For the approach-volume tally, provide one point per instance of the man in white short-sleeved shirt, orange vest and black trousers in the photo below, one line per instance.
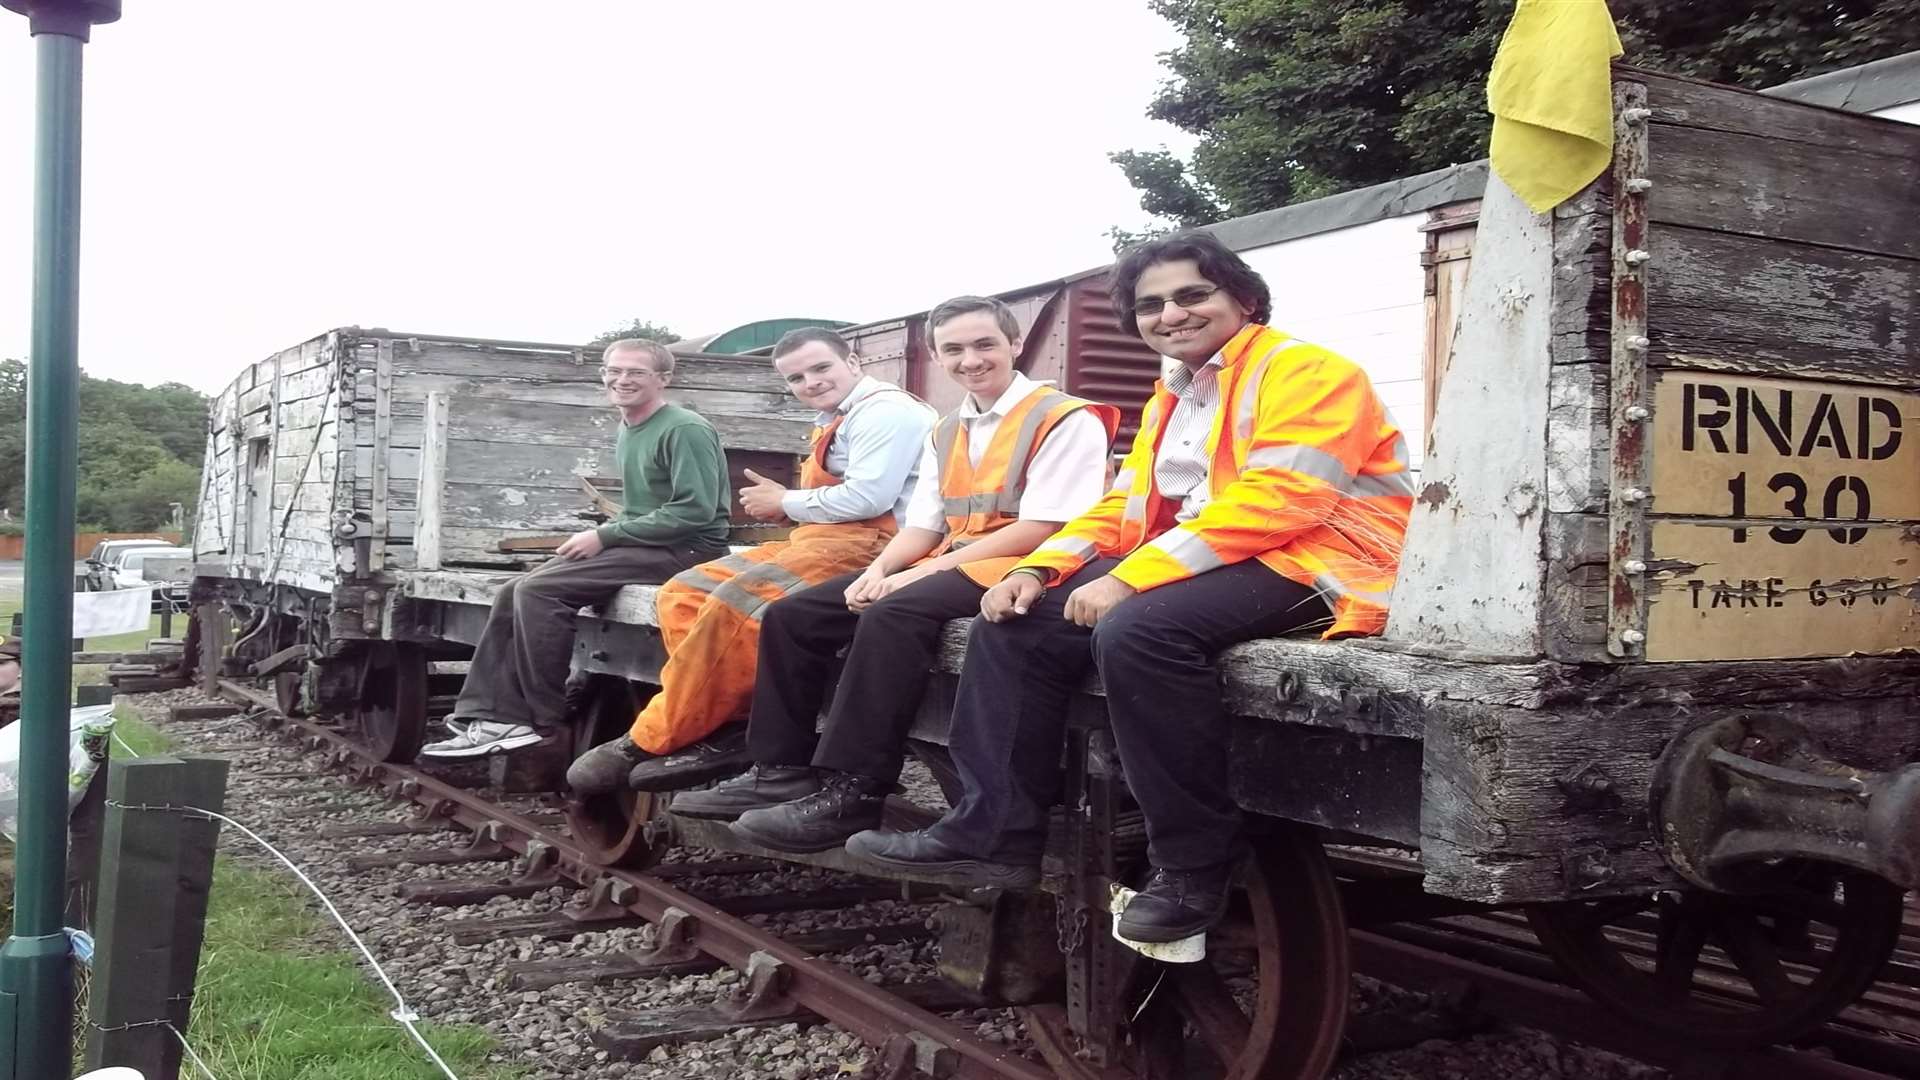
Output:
(1001, 474)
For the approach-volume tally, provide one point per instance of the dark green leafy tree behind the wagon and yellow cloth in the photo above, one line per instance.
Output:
(1301, 99)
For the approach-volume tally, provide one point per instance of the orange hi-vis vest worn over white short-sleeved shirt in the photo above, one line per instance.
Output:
(986, 499)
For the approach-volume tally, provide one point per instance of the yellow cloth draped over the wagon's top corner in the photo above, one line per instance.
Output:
(1552, 99)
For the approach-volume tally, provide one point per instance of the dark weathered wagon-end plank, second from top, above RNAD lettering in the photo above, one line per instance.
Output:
(1762, 185)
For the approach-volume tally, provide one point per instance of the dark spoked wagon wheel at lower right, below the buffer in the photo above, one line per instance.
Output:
(1729, 971)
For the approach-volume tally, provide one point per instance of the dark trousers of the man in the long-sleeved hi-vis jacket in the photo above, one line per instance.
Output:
(1155, 654)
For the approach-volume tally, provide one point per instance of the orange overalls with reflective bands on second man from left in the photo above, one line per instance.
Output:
(711, 616)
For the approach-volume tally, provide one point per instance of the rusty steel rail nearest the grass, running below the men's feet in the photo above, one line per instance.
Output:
(828, 991)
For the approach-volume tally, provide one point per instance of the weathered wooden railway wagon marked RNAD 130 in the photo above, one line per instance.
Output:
(1650, 666)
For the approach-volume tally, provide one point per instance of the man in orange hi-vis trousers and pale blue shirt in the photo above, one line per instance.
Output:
(853, 491)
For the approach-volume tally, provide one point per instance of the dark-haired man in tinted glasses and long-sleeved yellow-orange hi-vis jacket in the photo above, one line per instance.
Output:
(1266, 491)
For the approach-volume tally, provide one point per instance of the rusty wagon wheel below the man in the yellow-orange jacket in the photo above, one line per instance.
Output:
(1272, 994)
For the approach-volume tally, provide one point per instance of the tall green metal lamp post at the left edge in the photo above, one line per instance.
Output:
(36, 991)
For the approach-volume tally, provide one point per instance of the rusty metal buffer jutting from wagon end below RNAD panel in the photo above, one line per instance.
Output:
(1739, 798)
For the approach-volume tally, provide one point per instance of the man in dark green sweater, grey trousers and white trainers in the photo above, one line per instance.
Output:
(675, 516)
